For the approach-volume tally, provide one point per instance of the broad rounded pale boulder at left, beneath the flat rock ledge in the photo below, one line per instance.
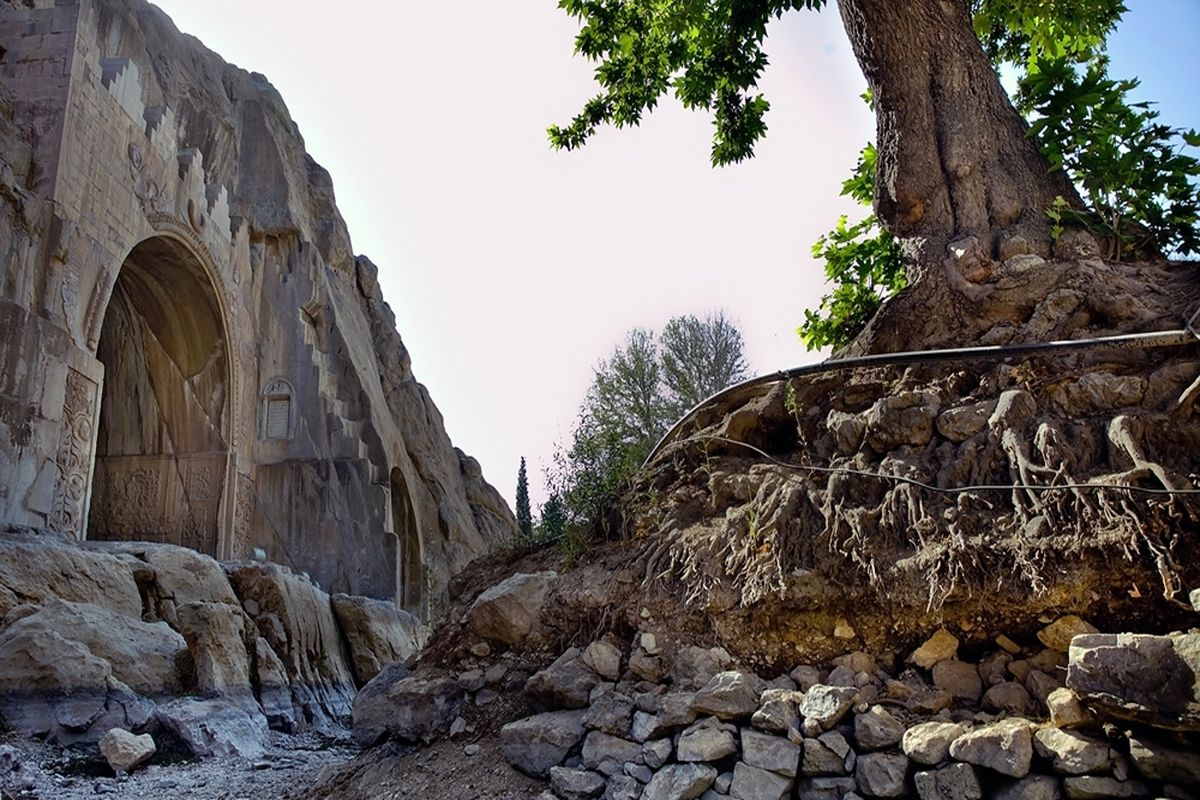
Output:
(146, 657)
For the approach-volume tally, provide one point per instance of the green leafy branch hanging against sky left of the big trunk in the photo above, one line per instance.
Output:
(709, 53)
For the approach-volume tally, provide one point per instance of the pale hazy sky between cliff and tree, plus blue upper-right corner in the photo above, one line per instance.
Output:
(513, 269)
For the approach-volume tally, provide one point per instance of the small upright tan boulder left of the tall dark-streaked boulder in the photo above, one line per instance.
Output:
(217, 637)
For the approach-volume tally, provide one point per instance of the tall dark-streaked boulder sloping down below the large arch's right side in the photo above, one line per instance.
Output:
(297, 619)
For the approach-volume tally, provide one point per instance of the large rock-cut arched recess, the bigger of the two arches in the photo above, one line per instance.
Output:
(163, 448)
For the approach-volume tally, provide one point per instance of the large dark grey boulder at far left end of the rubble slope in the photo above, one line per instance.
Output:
(409, 708)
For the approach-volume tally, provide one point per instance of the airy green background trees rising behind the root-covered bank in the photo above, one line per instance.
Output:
(635, 398)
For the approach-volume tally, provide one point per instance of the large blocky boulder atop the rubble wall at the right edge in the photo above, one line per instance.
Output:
(1141, 678)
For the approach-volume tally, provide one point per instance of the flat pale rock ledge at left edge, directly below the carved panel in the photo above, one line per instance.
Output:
(38, 567)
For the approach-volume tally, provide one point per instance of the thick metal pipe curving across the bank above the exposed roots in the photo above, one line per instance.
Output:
(1181, 338)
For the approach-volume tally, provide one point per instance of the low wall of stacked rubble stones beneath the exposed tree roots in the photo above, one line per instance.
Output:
(1076, 714)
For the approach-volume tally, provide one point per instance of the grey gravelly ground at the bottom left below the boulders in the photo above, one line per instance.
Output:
(35, 771)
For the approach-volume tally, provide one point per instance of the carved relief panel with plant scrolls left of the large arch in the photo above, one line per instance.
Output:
(74, 459)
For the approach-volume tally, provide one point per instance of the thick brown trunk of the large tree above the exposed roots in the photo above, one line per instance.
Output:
(955, 159)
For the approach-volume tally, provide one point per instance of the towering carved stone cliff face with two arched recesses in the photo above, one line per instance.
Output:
(190, 351)
